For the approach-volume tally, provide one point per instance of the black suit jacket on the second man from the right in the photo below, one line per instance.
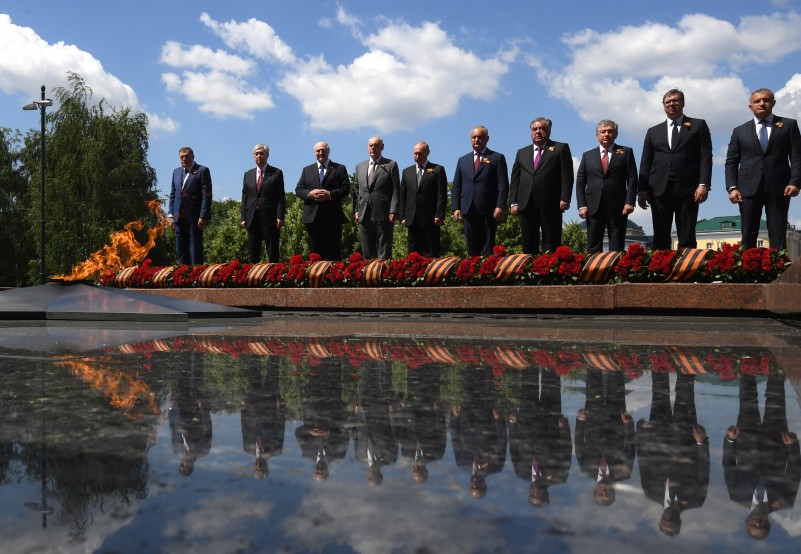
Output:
(690, 162)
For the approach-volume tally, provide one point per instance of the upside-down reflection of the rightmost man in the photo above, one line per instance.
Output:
(761, 462)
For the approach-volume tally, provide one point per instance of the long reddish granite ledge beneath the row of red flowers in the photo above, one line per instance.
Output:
(628, 297)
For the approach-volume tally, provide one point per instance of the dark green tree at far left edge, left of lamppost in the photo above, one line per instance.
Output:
(19, 250)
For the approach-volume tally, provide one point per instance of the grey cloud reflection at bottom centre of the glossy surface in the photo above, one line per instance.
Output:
(388, 517)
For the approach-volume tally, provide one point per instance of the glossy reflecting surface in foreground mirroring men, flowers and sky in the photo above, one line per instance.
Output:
(401, 434)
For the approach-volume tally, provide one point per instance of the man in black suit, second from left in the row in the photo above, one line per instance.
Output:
(263, 205)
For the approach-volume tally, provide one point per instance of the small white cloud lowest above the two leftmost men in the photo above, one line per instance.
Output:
(218, 93)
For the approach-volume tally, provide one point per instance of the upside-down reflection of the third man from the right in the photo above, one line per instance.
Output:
(605, 434)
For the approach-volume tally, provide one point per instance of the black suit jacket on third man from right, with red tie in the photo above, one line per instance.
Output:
(618, 186)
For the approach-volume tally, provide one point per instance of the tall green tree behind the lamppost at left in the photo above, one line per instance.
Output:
(98, 175)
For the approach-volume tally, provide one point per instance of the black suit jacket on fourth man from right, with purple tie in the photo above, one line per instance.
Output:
(550, 183)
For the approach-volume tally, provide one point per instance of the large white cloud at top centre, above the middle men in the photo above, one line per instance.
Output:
(396, 84)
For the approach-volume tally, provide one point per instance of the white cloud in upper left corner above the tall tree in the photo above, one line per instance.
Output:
(27, 61)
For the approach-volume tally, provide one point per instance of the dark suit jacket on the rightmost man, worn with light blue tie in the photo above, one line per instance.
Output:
(779, 166)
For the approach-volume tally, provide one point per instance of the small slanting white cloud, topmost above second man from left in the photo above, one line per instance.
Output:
(255, 37)
